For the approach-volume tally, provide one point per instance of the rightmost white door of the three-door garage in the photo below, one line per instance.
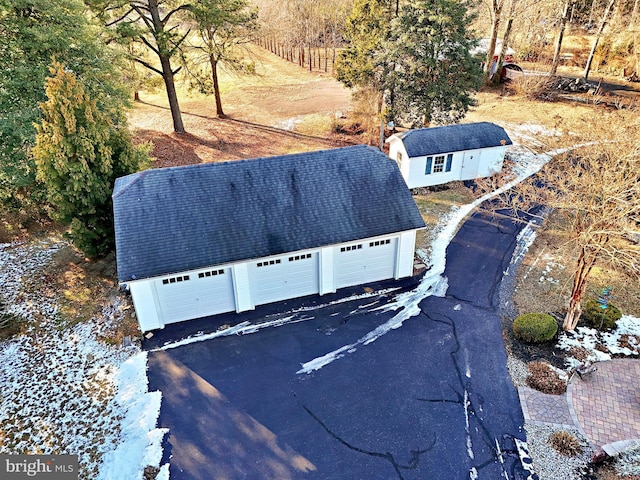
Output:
(365, 262)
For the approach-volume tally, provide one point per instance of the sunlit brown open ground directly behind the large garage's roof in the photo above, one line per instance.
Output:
(261, 114)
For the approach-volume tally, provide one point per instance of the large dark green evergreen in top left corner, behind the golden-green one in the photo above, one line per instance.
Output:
(31, 33)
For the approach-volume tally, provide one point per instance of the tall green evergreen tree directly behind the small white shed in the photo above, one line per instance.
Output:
(434, 74)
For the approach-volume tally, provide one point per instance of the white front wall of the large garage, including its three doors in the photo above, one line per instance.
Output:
(241, 286)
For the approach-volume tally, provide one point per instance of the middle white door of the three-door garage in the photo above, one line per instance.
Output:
(284, 277)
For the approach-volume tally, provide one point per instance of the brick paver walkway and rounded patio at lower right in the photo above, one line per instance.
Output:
(604, 406)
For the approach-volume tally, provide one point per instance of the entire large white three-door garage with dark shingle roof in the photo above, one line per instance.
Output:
(204, 239)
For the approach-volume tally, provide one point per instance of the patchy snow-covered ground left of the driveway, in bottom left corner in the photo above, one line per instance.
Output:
(64, 391)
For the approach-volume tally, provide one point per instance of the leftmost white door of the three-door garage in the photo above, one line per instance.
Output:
(198, 294)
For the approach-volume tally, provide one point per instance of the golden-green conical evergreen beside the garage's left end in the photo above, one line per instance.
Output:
(80, 150)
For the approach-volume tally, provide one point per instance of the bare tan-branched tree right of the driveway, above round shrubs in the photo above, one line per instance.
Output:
(593, 192)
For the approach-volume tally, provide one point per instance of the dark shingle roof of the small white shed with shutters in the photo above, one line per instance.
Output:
(453, 138)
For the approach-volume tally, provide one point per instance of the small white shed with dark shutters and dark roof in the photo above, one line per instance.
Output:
(433, 156)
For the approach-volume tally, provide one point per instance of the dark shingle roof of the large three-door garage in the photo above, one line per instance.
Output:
(170, 220)
